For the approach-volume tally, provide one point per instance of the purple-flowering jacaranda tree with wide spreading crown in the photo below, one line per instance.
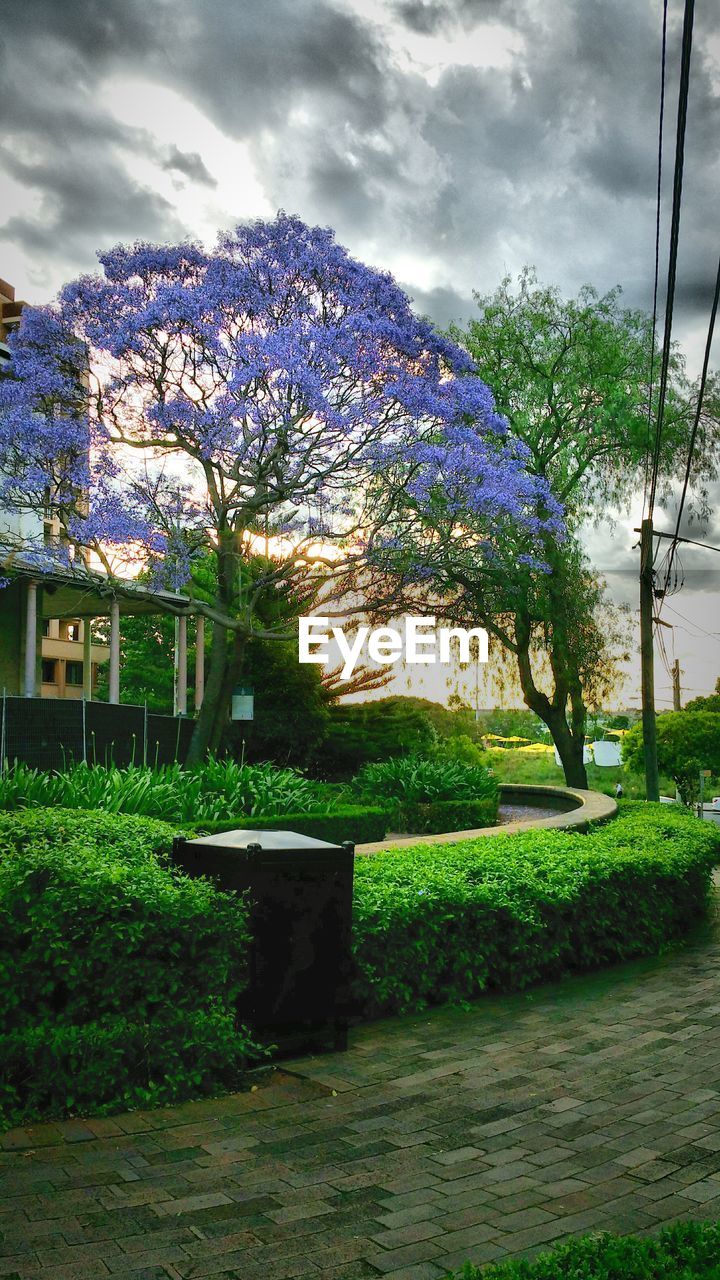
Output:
(239, 403)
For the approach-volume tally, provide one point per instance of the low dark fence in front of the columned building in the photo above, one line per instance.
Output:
(48, 734)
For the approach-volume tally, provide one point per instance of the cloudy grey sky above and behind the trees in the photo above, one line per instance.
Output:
(450, 141)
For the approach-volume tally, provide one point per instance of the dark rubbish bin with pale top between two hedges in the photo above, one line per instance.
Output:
(300, 893)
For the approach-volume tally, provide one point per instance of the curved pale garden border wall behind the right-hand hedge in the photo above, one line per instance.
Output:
(586, 807)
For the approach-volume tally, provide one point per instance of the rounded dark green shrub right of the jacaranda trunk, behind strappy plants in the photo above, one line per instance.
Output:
(358, 733)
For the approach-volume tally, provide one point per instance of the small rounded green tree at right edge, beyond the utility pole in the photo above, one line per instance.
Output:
(686, 744)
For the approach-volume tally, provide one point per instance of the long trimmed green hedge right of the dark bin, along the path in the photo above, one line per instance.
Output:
(448, 922)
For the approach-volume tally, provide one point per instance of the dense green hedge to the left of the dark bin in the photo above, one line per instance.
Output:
(119, 976)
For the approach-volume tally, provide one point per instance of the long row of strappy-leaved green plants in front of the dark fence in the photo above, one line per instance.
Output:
(212, 792)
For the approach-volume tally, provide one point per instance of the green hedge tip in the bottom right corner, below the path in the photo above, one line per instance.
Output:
(686, 1251)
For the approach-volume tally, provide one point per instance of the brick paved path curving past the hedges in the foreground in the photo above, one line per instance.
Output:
(594, 1104)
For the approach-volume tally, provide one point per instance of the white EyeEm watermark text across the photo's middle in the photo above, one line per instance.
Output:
(421, 643)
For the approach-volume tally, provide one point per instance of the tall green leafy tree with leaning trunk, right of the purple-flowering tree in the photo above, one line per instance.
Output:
(573, 380)
